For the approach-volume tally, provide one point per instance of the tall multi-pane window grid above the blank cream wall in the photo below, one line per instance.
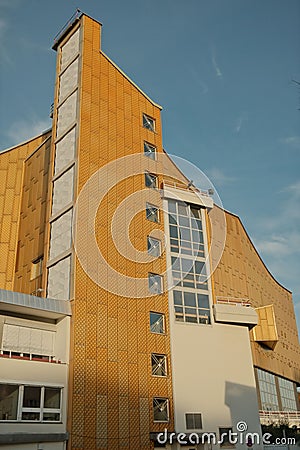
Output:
(189, 276)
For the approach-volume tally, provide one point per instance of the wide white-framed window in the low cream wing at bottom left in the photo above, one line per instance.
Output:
(30, 403)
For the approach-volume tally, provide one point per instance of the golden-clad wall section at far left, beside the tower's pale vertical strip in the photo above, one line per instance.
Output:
(15, 192)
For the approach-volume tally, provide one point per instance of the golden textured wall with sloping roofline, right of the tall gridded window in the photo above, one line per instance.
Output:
(242, 274)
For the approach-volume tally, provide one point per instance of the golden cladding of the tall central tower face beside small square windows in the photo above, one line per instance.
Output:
(114, 347)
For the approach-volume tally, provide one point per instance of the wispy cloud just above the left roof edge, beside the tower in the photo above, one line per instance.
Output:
(22, 130)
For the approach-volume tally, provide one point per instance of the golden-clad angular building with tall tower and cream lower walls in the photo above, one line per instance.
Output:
(130, 304)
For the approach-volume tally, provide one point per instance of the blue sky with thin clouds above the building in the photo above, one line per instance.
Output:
(221, 69)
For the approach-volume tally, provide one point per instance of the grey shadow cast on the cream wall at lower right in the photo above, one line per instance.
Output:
(243, 405)
